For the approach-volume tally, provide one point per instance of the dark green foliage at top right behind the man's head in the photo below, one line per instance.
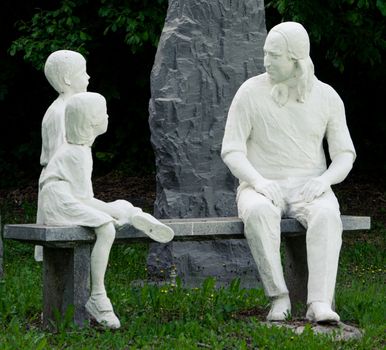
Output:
(347, 29)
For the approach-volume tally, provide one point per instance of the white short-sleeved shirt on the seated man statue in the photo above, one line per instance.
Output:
(286, 141)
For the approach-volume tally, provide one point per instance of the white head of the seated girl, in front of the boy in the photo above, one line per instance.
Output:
(85, 118)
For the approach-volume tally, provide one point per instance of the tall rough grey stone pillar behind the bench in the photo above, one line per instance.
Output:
(207, 49)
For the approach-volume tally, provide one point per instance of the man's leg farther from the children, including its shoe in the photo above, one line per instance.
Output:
(324, 239)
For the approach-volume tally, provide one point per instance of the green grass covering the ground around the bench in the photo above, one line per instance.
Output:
(172, 317)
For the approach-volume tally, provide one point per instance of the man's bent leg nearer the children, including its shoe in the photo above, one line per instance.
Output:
(262, 231)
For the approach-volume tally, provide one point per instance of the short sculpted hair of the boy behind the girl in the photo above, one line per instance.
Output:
(60, 65)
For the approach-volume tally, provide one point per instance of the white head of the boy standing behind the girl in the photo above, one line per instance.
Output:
(65, 70)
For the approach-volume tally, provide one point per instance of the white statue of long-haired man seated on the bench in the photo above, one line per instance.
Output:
(273, 144)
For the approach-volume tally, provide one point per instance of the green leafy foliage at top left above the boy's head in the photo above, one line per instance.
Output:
(78, 25)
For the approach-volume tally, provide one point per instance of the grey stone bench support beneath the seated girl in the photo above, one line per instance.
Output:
(66, 282)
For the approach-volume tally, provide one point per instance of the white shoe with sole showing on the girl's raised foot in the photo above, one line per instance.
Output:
(152, 227)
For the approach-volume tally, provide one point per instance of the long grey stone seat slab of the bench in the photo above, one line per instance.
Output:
(185, 229)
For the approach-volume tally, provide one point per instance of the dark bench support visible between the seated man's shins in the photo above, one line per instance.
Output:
(296, 270)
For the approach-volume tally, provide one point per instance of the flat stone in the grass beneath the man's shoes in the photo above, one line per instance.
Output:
(338, 332)
